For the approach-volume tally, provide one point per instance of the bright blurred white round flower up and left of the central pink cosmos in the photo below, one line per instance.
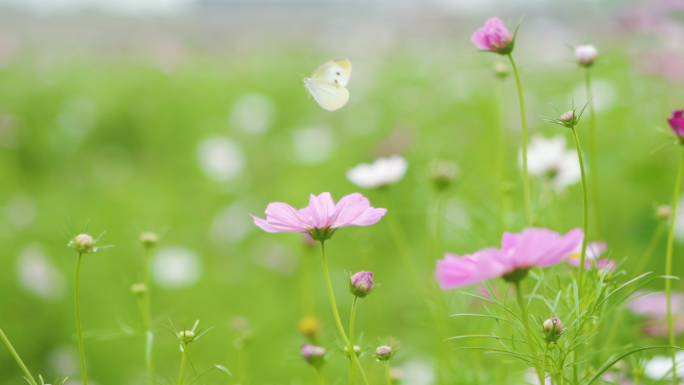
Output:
(220, 158)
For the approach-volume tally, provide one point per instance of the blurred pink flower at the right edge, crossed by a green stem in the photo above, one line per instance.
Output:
(653, 306)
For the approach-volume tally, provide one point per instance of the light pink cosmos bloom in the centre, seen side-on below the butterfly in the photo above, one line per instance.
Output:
(322, 217)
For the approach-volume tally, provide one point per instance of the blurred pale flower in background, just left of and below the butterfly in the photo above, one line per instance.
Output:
(252, 113)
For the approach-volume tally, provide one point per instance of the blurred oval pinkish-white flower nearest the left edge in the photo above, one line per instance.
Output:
(38, 274)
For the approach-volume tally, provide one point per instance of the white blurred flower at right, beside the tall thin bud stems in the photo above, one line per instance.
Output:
(548, 158)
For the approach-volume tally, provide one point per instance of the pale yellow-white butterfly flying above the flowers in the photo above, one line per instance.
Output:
(327, 84)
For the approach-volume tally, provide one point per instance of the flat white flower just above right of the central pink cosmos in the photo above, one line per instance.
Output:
(383, 171)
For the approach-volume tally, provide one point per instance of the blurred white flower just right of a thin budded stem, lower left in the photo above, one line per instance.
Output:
(175, 267)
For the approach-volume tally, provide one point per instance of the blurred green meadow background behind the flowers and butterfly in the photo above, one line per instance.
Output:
(185, 125)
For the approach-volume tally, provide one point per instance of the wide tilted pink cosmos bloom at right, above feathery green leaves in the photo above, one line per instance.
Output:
(533, 247)
